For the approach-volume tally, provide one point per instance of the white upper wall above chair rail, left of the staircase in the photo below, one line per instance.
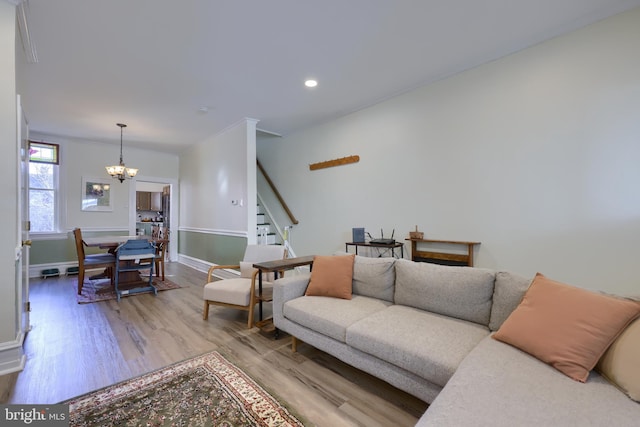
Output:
(214, 173)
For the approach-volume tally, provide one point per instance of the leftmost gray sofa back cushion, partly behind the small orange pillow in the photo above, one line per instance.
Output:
(374, 277)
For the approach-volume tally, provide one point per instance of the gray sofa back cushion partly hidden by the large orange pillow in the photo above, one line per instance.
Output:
(507, 294)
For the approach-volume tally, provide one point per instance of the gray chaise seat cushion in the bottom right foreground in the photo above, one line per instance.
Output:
(498, 385)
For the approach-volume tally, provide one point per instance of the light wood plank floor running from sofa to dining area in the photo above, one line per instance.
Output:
(73, 349)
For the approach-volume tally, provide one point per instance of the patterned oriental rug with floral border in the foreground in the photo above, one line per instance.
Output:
(207, 390)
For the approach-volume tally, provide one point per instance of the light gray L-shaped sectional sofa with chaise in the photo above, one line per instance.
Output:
(426, 329)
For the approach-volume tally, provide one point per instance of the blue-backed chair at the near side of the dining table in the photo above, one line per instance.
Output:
(133, 256)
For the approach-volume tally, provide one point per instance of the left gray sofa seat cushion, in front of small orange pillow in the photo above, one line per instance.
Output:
(331, 316)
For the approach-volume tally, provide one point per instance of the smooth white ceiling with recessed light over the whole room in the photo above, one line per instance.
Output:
(153, 64)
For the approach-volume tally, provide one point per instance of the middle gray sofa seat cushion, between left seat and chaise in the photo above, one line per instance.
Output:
(427, 344)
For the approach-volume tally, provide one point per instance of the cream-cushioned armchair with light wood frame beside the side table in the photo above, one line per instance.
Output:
(240, 293)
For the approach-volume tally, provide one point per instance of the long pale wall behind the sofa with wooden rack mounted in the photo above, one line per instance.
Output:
(535, 155)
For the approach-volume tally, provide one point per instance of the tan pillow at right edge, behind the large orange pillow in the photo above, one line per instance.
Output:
(621, 363)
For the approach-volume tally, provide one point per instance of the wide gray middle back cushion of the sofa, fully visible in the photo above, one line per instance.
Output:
(461, 292)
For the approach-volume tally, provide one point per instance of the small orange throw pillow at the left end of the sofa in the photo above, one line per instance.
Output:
(331, 276)
